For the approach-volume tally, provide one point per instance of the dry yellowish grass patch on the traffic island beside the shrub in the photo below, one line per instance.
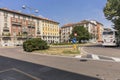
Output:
(60, 51)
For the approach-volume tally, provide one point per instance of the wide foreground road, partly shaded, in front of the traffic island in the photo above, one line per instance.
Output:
(18, 65)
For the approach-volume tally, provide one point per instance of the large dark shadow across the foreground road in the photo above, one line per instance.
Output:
(12, 69)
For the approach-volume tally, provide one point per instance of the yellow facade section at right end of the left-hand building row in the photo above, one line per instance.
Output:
(50, 31)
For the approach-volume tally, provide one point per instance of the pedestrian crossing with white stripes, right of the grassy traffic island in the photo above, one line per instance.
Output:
(100, 58)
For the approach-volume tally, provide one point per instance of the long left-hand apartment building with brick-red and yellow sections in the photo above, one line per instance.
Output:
(16, 27)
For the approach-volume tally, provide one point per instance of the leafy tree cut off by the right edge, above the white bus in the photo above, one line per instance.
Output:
(112, 12)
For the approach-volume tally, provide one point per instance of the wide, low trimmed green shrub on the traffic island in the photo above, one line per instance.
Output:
(35, 44)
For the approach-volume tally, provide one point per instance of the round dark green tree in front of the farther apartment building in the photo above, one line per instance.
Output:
(82, 33)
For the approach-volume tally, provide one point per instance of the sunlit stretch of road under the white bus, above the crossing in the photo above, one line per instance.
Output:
(105, 51)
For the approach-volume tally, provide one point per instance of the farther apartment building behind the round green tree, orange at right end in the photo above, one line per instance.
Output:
(94, 29)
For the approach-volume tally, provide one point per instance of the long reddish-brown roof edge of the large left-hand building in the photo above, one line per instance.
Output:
(33, 16)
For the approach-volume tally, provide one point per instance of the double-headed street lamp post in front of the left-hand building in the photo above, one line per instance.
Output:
(30, 9)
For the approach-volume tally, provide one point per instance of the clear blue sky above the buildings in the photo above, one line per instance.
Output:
(62, 11)
